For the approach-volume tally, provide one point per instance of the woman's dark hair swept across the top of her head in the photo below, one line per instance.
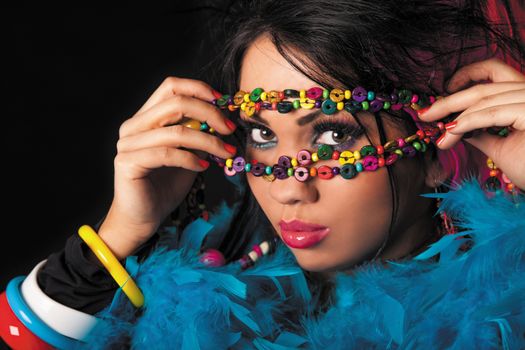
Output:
(381, 45)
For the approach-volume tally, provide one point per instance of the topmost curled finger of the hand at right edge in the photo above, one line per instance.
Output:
(494, 70)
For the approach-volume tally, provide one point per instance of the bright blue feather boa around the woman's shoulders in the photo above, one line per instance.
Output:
(463, 300)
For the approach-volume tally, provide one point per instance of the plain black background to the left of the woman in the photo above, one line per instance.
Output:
(70, 78)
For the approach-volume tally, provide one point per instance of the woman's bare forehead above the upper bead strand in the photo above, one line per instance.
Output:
(263, 66)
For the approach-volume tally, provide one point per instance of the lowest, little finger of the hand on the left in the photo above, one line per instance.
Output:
(138, 164)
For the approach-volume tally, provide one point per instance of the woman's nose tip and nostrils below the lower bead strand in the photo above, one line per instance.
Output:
(291, 191)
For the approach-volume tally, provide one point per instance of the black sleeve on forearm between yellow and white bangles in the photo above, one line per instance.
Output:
(75, 277)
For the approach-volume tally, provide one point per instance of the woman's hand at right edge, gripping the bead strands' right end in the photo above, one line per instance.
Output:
(498, 103)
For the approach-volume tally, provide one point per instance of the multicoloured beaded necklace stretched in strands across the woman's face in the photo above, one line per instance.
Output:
(353, 162)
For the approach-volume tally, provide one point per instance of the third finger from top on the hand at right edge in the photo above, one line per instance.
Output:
(500, 115)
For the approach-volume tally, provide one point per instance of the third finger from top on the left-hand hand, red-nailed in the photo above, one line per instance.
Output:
(176, 136)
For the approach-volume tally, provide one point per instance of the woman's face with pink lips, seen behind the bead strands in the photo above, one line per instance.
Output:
(356, 212)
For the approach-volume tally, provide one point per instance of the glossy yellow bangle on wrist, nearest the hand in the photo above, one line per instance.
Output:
(110, 262)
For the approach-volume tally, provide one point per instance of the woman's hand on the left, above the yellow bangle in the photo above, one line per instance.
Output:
(154, 169)
